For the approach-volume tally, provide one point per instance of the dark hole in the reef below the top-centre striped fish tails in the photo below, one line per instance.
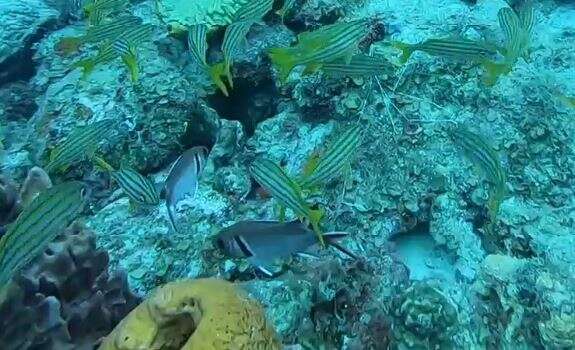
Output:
(250, 102)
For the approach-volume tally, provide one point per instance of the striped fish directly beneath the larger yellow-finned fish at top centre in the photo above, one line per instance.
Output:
(359, 66)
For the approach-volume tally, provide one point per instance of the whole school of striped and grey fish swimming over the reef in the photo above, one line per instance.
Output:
(333, 50)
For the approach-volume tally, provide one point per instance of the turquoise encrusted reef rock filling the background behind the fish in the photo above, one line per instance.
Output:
(435, 269)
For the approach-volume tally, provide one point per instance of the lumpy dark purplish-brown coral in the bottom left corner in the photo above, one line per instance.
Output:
(66, 299)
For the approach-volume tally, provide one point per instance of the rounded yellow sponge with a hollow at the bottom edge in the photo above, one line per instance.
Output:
(202, 314)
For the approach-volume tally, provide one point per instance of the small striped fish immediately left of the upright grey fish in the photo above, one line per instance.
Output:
(137, 187)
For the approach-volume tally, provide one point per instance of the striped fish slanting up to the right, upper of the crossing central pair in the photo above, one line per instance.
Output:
(338, 155)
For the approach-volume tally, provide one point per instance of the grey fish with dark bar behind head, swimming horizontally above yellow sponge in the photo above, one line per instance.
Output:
(263, 242)
